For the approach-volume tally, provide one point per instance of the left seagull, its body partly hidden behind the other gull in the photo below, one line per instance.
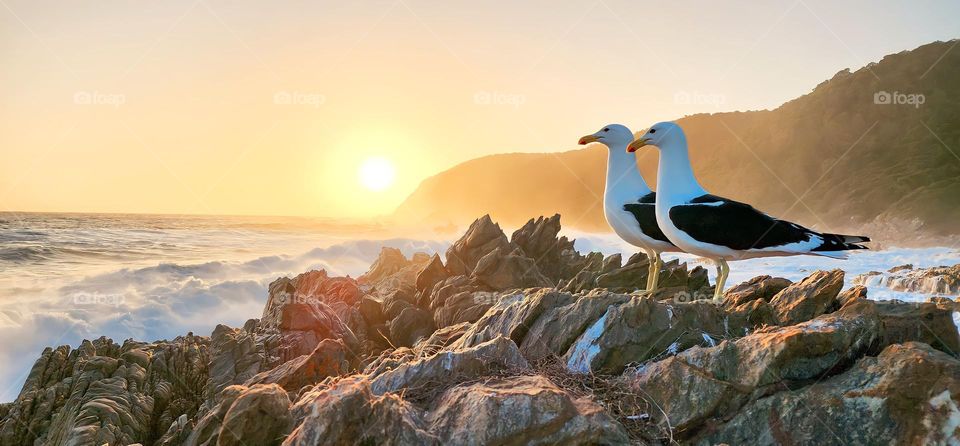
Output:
(628, 203)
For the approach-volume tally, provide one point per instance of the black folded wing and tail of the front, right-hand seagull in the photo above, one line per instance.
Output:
(723, 222)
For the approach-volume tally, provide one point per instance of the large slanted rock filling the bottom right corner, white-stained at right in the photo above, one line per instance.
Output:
(909, 394)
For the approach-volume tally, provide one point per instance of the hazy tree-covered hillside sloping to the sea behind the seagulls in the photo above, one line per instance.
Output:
(832, 159)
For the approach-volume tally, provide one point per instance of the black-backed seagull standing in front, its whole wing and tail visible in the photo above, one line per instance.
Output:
(718, 228)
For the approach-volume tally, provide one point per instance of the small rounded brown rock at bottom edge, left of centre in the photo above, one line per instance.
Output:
(260, 415)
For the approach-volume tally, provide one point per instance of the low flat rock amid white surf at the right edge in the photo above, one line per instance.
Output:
(936, 280)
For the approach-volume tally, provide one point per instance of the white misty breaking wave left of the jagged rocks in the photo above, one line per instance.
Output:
(161, 301)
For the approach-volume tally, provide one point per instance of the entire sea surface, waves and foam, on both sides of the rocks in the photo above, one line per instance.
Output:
(69, 277)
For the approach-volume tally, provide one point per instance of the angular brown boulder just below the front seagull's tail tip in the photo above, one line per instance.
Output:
(809, 298)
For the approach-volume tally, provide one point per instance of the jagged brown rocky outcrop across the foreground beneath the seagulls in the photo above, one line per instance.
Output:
(474, 351)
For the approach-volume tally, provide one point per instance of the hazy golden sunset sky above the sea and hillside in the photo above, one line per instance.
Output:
(256, 107)
